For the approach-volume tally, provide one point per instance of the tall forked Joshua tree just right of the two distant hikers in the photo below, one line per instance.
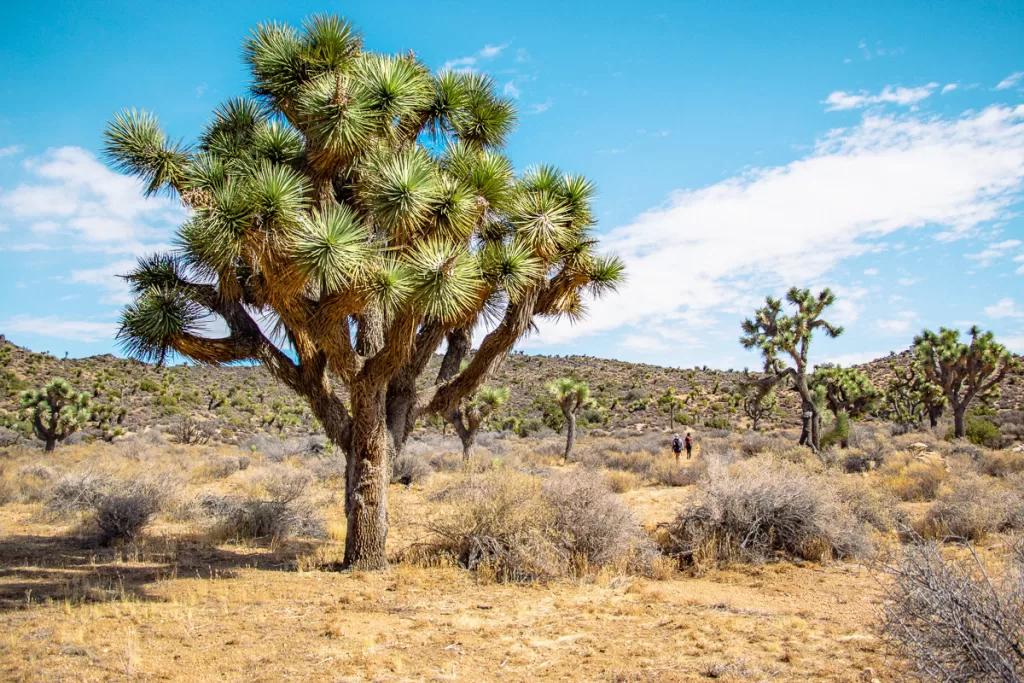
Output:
(786, 339)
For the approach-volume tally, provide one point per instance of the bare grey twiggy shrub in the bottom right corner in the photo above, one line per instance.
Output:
(953, 619)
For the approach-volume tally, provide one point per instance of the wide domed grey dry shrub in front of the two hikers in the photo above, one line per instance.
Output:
(756, 510)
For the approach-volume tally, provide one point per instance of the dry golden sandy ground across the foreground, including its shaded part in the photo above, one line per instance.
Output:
(179, 610)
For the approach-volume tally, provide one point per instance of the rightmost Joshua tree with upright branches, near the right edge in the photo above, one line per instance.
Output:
(963, 372)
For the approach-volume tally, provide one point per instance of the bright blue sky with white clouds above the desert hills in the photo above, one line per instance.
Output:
(739, 148)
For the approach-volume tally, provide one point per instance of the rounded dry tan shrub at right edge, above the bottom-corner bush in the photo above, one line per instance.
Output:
(975, 507)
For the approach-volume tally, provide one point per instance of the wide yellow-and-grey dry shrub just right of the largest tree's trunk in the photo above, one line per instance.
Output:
(522, 529)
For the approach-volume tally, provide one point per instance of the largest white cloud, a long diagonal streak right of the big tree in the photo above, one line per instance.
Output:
(721, 248)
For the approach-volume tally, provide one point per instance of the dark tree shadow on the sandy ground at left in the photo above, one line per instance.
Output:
(75, 568)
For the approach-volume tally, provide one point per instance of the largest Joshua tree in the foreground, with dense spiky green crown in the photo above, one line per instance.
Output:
(362, 205)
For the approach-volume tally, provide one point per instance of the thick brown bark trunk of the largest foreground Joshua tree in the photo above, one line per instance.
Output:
(366, 487)
